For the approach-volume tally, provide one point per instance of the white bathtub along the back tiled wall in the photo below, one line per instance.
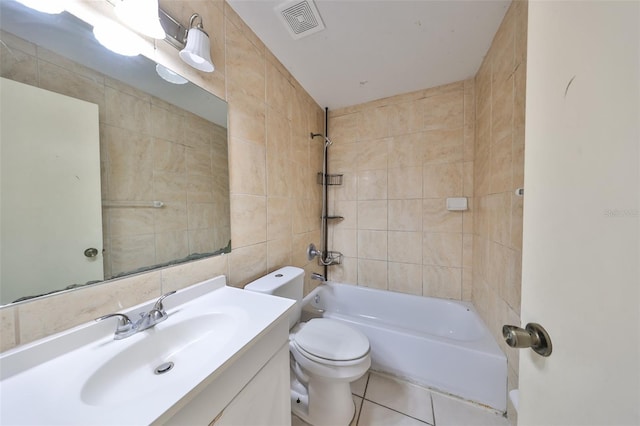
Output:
(438, 343)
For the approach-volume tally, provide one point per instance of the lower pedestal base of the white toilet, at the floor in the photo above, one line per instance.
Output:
(322, 403)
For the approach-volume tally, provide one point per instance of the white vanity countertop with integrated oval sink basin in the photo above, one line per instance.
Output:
(84, 376)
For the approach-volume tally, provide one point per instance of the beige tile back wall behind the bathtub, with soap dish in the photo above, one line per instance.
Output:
(400, 158)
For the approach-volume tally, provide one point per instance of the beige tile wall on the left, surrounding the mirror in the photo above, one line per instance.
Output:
(275, 204)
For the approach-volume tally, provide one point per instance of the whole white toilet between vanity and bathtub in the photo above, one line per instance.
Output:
(325, 355)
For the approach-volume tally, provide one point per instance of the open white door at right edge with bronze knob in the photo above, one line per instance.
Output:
(581, 256)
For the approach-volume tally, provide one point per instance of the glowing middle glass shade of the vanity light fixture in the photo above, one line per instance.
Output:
(141, 16)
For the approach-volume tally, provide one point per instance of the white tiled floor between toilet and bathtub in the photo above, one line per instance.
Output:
(386, 401)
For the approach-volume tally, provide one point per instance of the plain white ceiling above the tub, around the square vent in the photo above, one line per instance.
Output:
(371, 49)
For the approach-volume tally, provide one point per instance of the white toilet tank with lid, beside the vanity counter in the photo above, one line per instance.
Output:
(285, 282)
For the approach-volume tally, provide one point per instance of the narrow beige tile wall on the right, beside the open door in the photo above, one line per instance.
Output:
(499, 170)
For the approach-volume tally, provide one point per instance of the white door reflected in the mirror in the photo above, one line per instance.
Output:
(50, 200)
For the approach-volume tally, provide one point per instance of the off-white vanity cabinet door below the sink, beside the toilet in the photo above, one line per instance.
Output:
(265, 400)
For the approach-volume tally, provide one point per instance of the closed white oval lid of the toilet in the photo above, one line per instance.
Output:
(332, 340)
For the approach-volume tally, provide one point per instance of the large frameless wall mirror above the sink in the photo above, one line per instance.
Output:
(161, 159)
